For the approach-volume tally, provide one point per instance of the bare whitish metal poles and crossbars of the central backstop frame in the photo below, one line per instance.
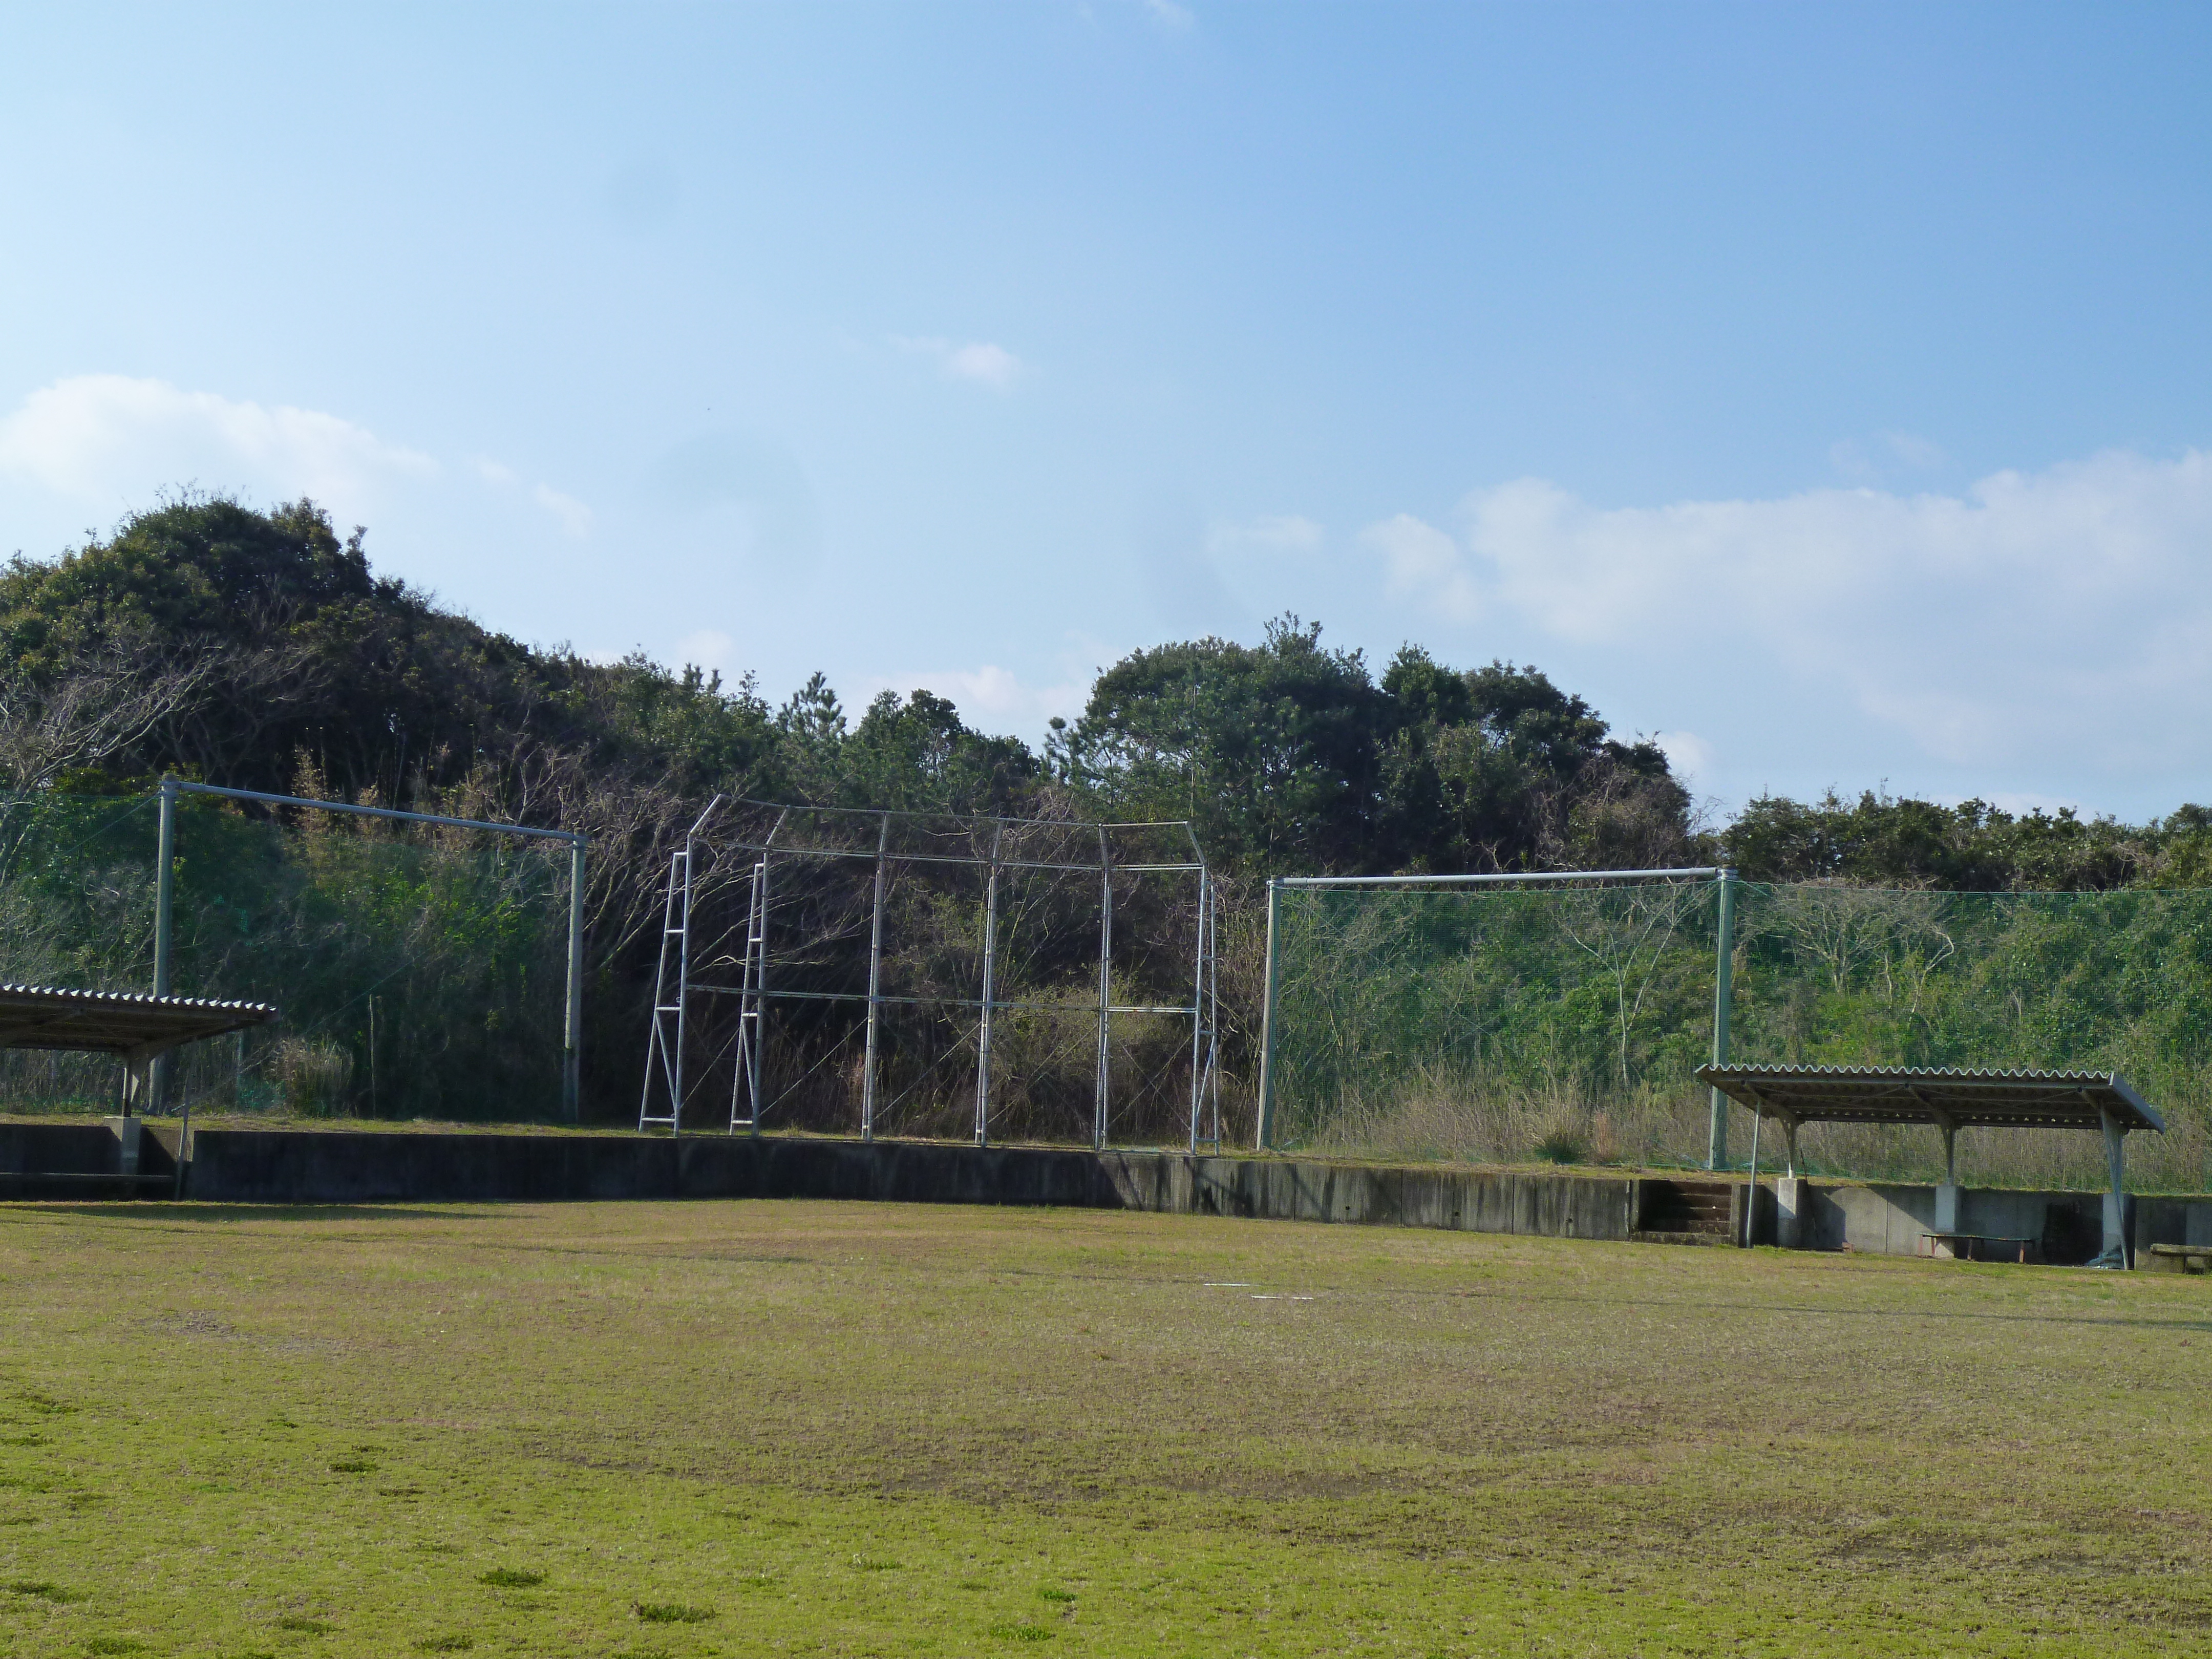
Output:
(749, 853)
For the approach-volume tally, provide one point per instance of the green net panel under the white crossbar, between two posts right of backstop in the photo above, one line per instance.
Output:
(1488, 1023)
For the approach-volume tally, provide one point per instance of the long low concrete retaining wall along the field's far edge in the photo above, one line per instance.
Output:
(351, 1167)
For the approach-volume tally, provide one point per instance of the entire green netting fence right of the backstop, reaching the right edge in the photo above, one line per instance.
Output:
(1501, 1025)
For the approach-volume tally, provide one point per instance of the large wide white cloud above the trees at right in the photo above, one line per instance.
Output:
(2069, 605)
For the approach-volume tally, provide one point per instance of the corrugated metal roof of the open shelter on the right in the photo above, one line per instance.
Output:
(1968, 1098)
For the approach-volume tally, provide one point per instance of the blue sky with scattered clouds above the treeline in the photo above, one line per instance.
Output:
(1824, 390)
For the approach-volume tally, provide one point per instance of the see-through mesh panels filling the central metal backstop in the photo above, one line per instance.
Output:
(935, 977)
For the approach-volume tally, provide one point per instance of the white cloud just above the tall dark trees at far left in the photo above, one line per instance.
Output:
(112, 439)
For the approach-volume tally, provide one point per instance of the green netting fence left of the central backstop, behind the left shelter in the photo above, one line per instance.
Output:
(419, 970)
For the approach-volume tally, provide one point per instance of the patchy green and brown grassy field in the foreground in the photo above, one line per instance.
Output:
(870, 1430)
